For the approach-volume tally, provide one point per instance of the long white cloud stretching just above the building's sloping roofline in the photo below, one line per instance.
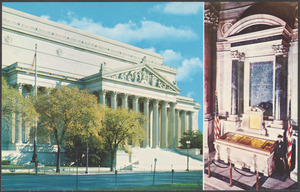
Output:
(131, 32)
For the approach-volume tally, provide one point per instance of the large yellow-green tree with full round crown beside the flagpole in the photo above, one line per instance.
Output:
(67, 111)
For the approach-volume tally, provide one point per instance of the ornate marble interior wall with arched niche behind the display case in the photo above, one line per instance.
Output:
(251, 62)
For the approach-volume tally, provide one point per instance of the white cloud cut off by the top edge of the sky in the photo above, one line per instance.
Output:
(180, 8)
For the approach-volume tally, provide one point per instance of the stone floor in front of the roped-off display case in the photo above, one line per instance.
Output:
(243, 179)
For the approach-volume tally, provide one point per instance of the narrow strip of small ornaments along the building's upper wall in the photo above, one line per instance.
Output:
(80, 42)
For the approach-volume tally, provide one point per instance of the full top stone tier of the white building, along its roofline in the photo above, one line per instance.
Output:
(45, 29)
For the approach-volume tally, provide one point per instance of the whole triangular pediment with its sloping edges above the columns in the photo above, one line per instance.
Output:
(143, 76)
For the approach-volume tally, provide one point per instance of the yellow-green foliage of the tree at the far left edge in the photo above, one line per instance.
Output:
(14, 102)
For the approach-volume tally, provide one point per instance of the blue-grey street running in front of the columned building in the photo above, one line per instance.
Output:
(95, 181)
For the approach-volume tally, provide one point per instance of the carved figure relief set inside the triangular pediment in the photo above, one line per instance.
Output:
(141, 76)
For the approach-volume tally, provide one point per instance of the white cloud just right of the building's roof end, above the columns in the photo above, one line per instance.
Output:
(188, 68)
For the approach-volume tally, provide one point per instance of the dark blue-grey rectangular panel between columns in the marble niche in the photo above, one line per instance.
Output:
(261, 85)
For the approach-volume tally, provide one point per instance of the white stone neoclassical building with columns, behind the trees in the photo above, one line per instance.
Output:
(118, 74)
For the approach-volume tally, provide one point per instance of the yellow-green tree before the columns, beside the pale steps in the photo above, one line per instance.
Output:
(119, 125)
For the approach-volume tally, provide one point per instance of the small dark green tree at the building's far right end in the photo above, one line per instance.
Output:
(195, 137)
